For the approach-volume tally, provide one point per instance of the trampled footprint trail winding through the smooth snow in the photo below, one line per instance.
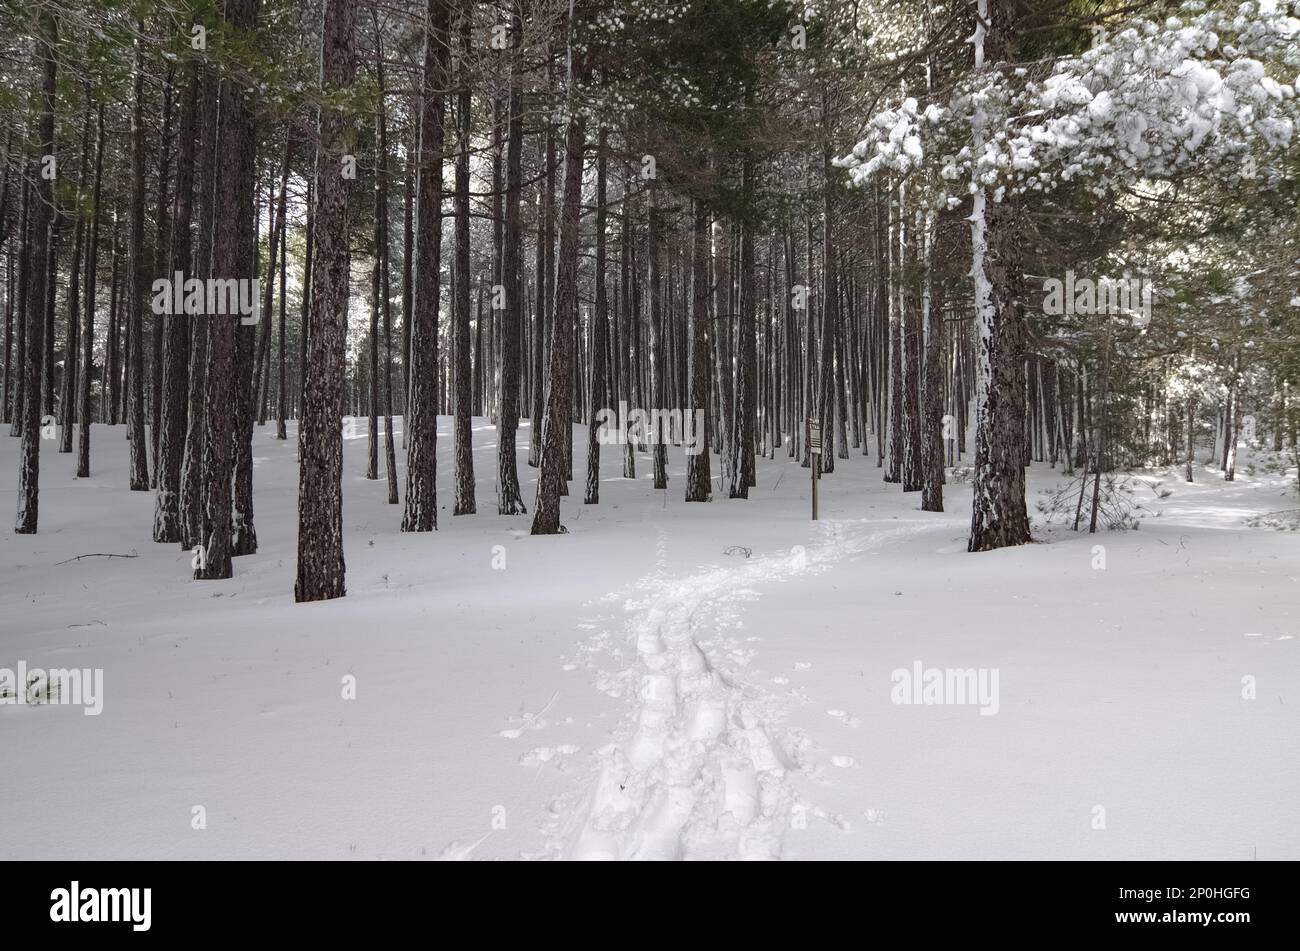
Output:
(701, 767)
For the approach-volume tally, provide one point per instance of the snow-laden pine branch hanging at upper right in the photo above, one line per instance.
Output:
(1208, 89)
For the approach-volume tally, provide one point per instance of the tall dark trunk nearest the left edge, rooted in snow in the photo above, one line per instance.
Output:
(29, 464)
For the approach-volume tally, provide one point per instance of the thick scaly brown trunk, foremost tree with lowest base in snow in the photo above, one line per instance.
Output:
(320, 446)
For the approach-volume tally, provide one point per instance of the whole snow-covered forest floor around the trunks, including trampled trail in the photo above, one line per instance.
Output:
(665, 681)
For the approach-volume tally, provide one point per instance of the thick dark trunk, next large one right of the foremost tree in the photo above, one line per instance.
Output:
(422, 500)
